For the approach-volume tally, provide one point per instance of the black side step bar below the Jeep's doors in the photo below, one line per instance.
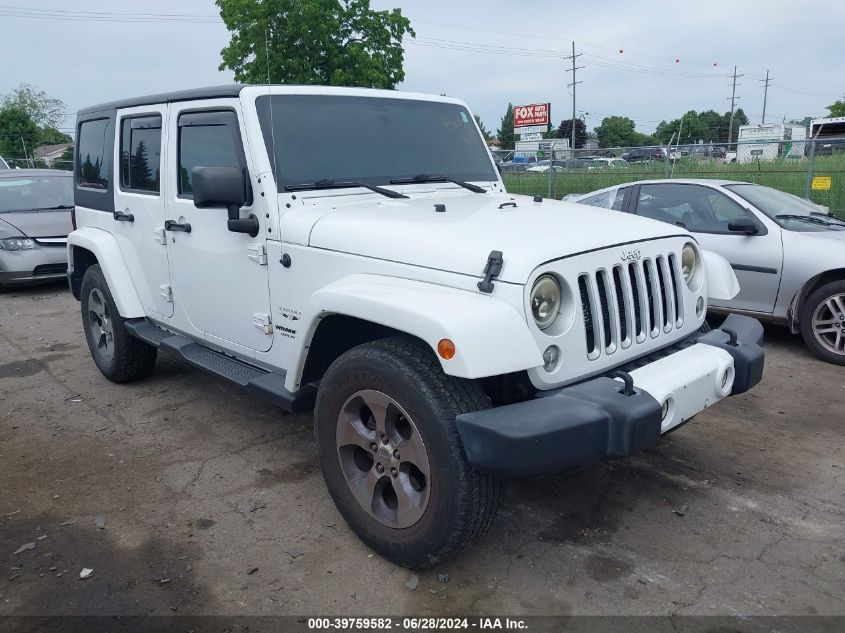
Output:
(268, 384)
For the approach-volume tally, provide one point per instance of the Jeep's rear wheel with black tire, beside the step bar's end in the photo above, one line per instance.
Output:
(119, 356)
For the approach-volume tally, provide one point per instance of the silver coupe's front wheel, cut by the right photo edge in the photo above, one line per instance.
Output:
(822, 320)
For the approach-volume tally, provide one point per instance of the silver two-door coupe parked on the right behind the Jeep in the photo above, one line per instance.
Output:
(788, 253)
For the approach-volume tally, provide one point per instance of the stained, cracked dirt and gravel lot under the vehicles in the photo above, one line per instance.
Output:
(184, 494)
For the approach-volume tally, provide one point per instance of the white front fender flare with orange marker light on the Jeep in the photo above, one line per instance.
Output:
(490, 336)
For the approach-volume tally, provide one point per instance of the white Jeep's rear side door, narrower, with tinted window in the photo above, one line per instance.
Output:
(138, 220)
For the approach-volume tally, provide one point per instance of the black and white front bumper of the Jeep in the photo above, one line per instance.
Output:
(574, 426)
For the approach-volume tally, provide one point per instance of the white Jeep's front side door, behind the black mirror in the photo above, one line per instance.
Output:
(220, 280)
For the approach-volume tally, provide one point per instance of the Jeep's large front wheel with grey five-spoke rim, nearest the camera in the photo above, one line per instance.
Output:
(392, 457)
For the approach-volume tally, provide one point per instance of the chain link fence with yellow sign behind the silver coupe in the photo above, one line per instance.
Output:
(812, 169)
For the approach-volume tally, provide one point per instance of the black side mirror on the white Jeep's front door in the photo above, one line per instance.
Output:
(224, 187)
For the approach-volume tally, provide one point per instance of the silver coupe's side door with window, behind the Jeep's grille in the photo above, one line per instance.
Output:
(756, 259)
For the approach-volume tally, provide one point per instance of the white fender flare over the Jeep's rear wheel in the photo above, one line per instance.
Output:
(105, 248)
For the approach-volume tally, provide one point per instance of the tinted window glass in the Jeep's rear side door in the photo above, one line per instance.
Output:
(140, 154)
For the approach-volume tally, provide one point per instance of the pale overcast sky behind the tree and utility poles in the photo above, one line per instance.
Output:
(486, 53)
